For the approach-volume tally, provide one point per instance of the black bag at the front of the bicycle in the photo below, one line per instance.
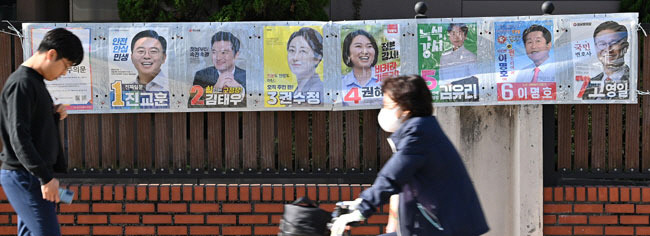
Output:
(303, 217)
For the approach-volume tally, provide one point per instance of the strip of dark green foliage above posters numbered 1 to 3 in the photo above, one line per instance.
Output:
(221, 10)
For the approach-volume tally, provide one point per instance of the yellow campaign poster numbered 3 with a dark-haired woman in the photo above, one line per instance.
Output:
(293, 66)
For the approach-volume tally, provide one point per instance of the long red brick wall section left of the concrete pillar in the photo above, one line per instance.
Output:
(206, 209)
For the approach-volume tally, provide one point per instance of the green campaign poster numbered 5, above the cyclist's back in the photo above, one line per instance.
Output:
(447, 60)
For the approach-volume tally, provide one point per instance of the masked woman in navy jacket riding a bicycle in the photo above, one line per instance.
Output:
(436, 195)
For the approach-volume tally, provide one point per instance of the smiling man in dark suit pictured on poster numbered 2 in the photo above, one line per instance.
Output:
(224, 73)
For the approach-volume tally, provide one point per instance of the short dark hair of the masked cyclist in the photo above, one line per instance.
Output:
(411, 93)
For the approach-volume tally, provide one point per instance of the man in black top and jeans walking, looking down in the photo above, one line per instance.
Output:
(32, 150)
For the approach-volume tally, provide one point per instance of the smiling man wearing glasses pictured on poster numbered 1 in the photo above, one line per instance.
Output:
(149, 51)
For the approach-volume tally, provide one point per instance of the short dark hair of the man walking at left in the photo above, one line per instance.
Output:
(66, 44)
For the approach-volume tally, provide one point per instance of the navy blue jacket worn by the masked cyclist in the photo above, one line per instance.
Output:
(426, 169)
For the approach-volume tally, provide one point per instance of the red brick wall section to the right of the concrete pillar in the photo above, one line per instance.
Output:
(597, 210)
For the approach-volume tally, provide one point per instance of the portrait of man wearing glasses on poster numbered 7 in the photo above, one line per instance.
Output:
(611, 43)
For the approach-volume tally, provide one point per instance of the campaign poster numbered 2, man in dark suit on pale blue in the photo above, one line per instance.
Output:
(216, 60)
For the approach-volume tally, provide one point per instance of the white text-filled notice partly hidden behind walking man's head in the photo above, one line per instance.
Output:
(74, 89)
